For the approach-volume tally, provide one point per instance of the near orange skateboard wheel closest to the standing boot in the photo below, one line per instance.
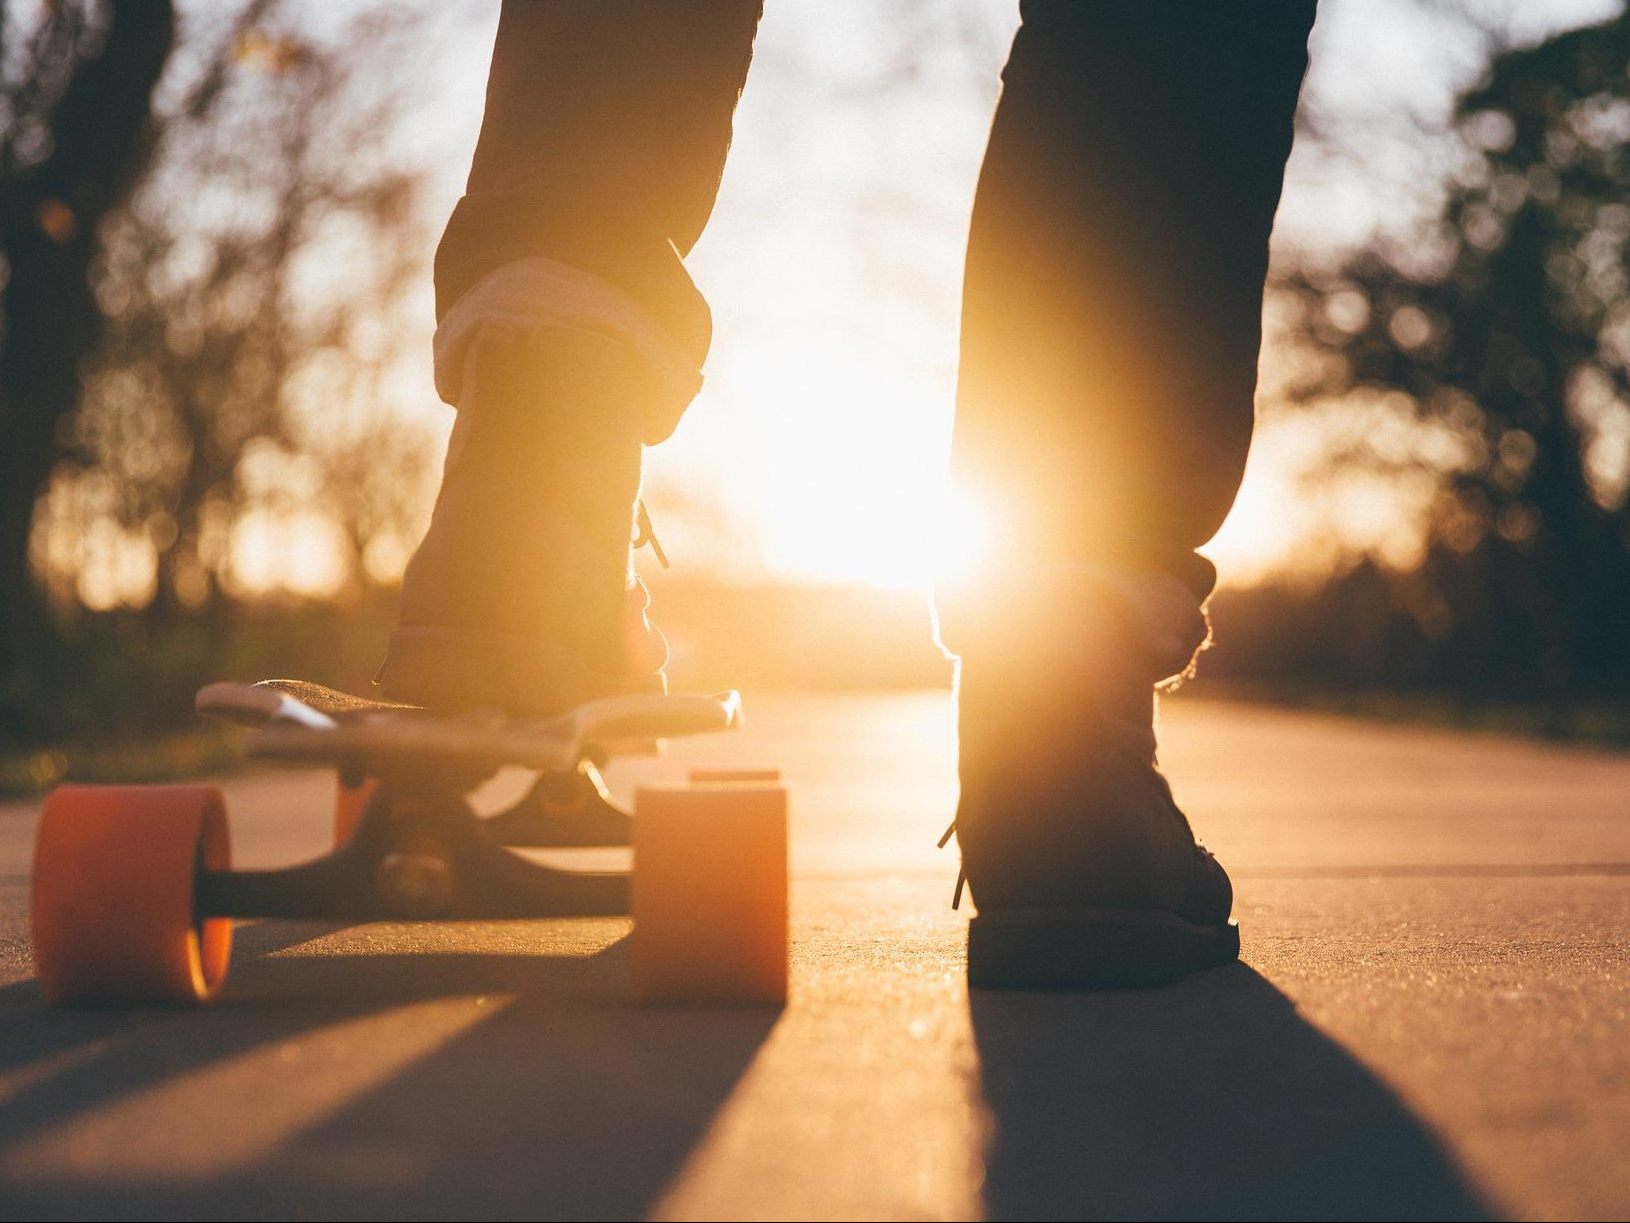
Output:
(710, 893)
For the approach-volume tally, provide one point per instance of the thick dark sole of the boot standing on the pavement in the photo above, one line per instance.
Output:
(1091, 950)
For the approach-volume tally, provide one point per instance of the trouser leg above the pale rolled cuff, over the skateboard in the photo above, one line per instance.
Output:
(602, 144)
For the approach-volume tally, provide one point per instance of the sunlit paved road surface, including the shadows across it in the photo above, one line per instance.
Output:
(1430, 1020)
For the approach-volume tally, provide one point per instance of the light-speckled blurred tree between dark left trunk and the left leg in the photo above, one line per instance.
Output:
(252, 294)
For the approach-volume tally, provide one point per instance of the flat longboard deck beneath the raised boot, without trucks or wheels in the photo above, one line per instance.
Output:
(301, 722)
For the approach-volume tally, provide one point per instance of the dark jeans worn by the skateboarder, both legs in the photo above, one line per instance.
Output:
(1116, 260)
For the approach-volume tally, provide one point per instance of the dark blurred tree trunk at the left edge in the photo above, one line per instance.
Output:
(76, 135)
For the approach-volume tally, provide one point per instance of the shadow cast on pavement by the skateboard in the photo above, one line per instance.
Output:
(563, 1100)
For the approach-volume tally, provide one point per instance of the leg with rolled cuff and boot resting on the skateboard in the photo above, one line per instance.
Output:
(570, 335)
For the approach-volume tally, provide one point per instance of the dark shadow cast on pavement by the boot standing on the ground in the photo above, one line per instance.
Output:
(1207, 1100)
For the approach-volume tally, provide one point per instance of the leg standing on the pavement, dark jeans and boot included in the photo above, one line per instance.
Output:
(1104, 410)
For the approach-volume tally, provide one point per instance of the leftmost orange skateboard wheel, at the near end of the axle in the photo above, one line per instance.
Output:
(113, 906)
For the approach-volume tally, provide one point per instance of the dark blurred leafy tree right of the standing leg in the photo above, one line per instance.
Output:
(1505, 337)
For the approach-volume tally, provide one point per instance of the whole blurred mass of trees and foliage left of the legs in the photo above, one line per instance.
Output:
(216, 361)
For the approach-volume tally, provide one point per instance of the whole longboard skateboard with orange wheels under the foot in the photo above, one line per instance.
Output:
(134, 894)
